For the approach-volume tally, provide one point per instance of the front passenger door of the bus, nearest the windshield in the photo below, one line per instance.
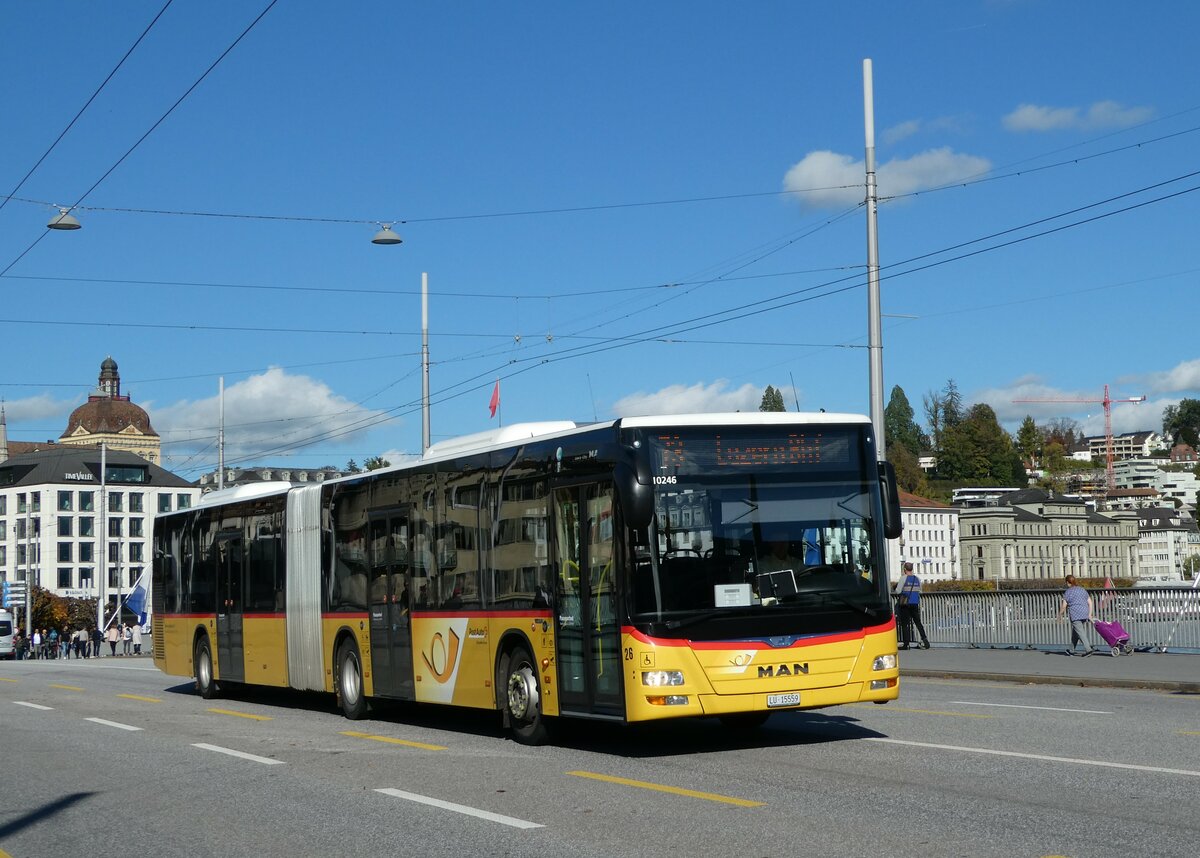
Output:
(589, 650)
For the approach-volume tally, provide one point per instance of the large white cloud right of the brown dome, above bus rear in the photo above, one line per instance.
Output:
(272, 412)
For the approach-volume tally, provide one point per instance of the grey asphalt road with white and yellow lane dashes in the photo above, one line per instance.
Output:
(110, 755)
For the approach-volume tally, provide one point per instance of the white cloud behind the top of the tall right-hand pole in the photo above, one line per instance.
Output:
(841, 179)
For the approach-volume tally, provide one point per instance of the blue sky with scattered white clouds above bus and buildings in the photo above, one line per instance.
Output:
(622, 208)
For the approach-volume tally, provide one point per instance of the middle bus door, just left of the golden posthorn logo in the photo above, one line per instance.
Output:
(392, 641)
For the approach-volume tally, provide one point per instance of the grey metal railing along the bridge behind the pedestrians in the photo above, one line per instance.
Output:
(1157, 620)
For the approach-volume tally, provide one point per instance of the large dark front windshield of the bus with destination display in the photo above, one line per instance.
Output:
(755, 526)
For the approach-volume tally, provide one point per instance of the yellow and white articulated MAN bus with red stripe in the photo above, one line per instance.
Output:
(724, 566)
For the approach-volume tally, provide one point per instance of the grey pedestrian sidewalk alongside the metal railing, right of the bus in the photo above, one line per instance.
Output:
(1163, 671)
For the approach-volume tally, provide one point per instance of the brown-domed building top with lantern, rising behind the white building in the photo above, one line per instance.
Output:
(112, 419)
